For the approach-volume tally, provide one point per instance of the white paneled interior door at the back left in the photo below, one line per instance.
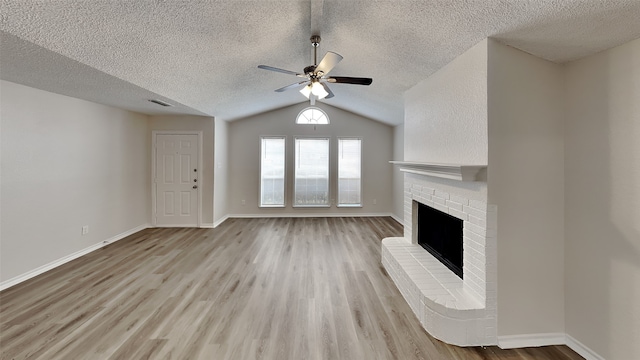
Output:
(176, 180)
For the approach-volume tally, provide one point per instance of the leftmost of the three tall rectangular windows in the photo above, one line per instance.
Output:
(272, 171)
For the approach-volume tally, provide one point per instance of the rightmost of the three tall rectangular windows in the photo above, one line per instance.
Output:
(349, 168)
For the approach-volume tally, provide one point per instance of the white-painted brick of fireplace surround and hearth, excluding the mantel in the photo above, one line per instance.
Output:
(480, 224)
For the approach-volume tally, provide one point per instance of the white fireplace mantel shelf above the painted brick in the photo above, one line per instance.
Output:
(447, 171)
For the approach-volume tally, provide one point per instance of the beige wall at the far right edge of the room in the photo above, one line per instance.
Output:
(602, 179)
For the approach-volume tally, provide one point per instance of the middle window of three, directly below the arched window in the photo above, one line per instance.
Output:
(311, 172)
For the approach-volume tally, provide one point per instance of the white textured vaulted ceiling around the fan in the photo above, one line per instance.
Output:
(202, 56)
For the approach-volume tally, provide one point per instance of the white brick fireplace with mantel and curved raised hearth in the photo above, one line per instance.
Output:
(457, 311)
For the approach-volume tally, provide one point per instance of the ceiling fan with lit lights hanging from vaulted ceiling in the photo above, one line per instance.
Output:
(316, 75)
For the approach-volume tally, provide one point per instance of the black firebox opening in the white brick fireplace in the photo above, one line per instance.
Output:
(441, 235)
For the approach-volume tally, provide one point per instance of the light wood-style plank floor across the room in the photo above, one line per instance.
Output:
(308, 288)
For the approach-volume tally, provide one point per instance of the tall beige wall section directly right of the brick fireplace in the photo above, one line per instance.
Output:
(526, 181)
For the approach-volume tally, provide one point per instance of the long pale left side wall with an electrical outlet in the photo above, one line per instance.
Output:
(67, 163)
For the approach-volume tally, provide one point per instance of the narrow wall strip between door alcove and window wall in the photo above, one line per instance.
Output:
(221, 172)
